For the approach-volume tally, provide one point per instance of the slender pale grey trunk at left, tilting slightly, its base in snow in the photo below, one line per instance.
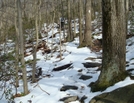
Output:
(25, 86)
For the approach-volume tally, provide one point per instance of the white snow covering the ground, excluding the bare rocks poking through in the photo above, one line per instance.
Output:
(52, 84)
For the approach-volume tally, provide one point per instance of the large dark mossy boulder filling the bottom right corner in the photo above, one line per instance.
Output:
(120, 95)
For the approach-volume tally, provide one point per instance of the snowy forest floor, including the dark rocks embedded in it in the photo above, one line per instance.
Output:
(68, 78)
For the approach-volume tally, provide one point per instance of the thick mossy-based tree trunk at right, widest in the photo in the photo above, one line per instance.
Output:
(114, 44)
